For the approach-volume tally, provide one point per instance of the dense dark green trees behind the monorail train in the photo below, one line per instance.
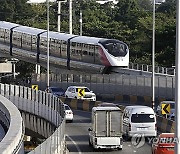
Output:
(129, 21)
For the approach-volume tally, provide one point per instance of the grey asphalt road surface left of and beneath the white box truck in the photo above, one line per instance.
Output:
(77, 137)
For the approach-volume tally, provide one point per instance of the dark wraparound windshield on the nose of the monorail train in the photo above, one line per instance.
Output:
(115, 47)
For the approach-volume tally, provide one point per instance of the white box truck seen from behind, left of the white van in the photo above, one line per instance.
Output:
(106, 129)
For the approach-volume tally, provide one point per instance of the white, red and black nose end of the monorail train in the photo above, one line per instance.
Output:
(113, 53)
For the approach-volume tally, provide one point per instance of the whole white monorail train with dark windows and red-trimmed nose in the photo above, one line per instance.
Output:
(71, 50)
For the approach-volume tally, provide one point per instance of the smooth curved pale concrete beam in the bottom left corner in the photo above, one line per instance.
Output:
(13, 140)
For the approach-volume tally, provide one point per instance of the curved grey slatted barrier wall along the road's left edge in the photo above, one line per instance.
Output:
(43, 105)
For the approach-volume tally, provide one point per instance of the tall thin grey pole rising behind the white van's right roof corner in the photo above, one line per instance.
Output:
(153, 57)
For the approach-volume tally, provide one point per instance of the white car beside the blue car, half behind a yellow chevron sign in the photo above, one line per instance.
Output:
(80, 92)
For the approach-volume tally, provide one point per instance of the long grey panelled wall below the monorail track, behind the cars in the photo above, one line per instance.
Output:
(113, 85)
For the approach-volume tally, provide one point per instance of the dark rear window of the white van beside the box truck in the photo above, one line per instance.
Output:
(142, 118)
